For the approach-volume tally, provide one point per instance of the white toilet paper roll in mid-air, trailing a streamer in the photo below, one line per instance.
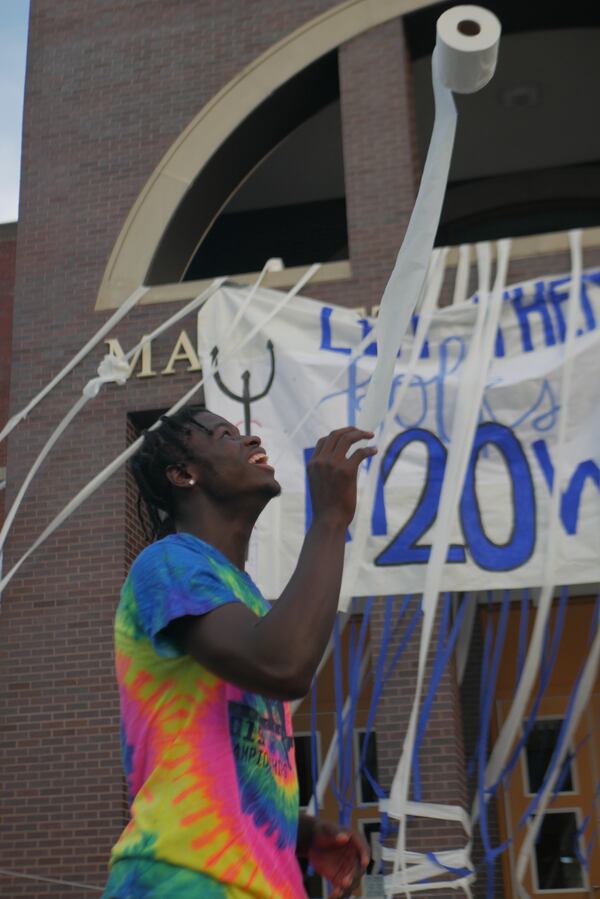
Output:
(467, 47)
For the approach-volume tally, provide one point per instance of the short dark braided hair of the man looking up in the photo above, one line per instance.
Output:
(161, 447)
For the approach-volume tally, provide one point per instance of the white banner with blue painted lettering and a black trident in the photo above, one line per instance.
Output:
(499, 532)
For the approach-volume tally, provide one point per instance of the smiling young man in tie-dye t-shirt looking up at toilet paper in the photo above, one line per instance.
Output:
(205, 668)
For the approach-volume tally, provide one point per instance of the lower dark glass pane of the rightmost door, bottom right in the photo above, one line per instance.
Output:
(557, 865)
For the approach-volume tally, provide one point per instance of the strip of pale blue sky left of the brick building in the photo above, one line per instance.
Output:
(14, 15)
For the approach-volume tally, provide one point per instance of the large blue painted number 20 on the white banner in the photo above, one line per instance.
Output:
(404, 548)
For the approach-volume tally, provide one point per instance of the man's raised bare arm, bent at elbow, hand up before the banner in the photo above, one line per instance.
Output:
(278, 655)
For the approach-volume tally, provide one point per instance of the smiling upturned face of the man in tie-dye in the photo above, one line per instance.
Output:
(225, 464)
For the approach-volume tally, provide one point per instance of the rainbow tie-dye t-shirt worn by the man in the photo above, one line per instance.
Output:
(210, 767)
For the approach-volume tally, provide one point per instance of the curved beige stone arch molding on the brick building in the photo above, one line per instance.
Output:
(132, 253)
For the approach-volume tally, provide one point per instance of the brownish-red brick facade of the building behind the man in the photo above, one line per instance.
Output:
(110, 86)
